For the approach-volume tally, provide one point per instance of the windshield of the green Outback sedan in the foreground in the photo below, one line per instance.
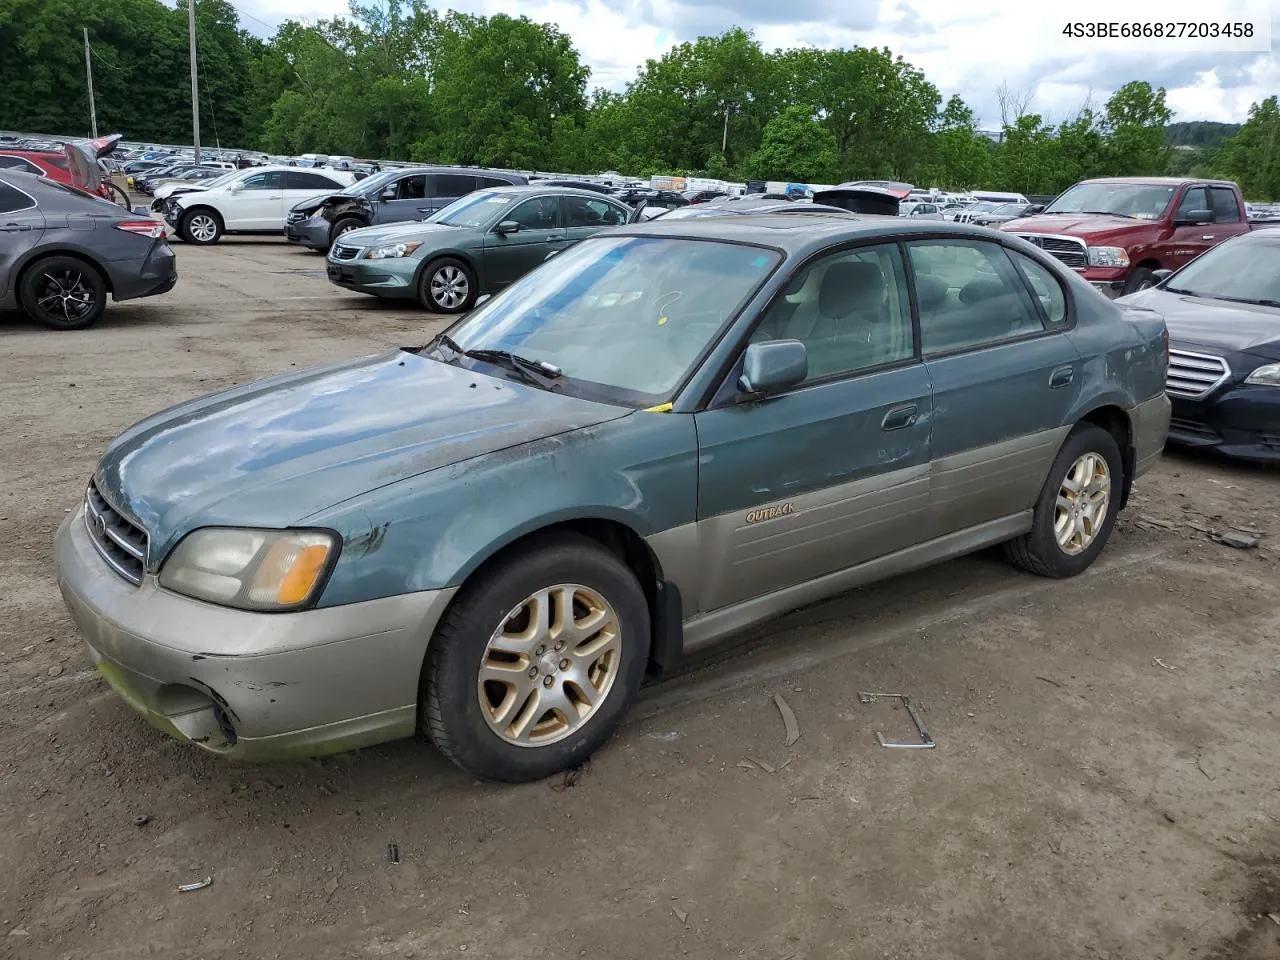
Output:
(624, 319)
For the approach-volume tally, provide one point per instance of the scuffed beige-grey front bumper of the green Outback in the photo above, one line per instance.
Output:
(250, 685)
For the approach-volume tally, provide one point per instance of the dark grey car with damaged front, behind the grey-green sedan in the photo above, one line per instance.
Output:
(391, 196)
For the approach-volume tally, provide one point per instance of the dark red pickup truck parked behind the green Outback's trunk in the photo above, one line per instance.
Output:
(1117, 232)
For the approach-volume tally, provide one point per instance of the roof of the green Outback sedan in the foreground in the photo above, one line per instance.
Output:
(797, 235)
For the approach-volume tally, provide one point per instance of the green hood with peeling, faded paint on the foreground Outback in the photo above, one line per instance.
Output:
(278, 451)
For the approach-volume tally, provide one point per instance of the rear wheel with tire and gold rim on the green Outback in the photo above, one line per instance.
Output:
(1077, 509)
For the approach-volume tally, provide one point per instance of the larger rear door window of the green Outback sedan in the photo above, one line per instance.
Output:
(970, 295)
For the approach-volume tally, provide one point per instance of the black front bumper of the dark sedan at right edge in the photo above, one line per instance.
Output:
(1241, 422)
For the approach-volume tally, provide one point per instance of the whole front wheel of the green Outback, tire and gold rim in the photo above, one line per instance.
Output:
(537, 661)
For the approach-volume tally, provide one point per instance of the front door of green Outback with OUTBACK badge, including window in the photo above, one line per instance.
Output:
(836, 472)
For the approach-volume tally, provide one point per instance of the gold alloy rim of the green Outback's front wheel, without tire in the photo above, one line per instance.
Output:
(550, 665)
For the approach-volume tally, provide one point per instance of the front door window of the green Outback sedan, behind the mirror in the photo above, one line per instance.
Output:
(851, 310)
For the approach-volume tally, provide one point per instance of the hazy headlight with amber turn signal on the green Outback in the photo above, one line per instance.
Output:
(254, 570)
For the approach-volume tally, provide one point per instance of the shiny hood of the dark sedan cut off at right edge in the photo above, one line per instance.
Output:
(1246, 328)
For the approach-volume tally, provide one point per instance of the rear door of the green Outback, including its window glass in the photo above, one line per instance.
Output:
(1005, 377)
